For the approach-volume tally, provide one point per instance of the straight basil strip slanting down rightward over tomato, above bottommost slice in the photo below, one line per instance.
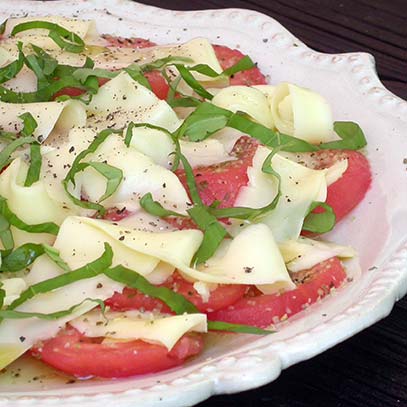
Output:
(128, 277)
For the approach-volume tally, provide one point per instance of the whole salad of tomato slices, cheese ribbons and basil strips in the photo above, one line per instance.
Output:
(152, 193)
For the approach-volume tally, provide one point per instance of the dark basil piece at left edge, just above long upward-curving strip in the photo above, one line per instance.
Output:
(25, 255)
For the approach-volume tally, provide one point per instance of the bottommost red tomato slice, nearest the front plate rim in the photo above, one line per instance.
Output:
(77, 355)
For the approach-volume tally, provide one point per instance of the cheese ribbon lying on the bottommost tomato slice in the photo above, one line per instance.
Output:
(165, 330)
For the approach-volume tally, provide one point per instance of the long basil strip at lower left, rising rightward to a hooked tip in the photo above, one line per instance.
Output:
(90, 270)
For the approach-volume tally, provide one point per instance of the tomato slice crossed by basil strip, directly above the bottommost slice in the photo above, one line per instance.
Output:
(221, 297)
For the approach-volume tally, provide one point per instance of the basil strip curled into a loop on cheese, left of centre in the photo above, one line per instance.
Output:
(112, 174)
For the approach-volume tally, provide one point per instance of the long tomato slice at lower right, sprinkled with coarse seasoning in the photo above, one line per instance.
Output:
(264, 310)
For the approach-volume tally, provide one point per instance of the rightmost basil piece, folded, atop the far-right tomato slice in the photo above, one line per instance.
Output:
(351, 134)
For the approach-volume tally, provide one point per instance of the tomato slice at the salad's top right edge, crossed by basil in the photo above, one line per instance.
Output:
(228, 57)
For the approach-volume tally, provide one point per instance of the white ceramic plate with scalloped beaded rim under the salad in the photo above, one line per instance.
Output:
(377, 229)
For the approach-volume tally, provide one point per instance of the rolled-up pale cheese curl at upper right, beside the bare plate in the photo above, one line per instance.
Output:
(302, 113)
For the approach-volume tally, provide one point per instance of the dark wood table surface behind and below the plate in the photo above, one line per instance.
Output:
(369, 369)
